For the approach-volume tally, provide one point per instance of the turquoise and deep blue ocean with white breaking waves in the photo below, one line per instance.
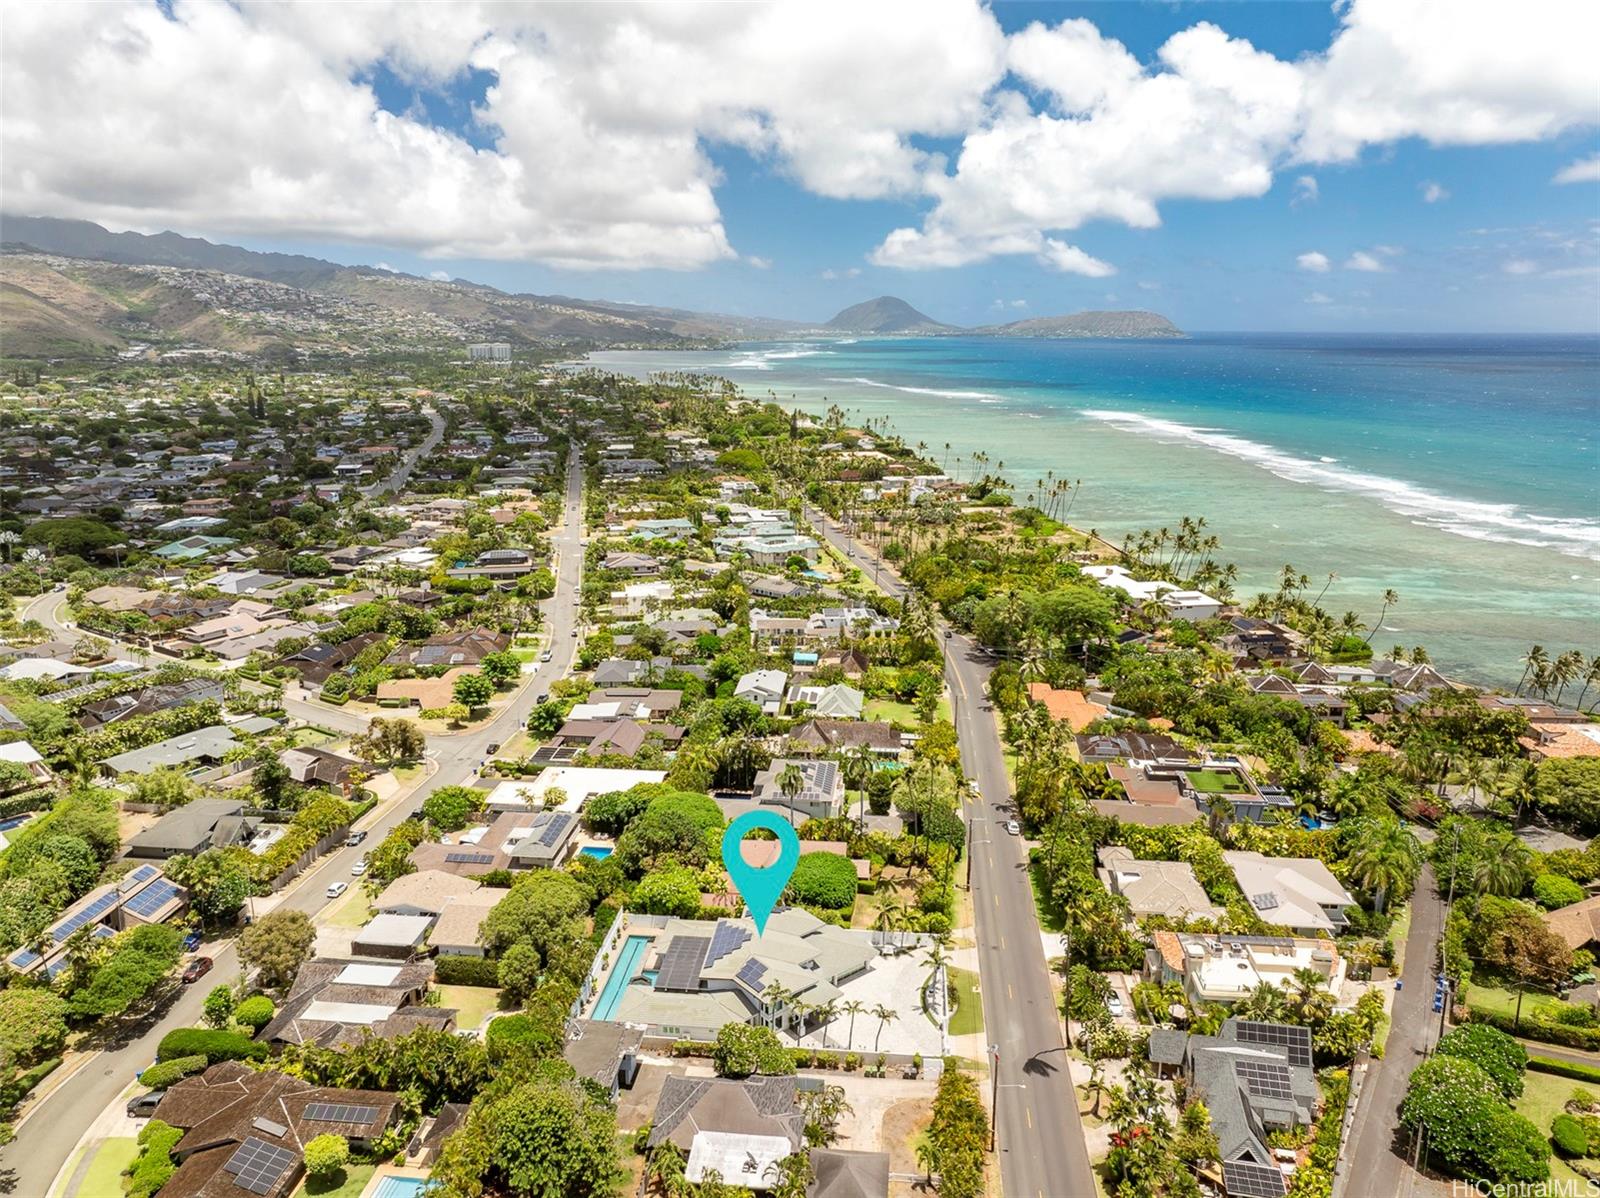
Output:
(1460, 471)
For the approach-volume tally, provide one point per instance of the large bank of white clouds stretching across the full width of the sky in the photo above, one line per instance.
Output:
(599, 127)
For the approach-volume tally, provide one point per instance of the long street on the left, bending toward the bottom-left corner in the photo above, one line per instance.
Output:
(54, 1128)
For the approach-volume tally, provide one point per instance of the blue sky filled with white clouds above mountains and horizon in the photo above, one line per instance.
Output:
(1377, 166)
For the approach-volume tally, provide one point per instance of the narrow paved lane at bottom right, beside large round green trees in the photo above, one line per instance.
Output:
(1374, 1165)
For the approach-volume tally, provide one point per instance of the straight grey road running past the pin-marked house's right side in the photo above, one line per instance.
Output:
(1042, 1149)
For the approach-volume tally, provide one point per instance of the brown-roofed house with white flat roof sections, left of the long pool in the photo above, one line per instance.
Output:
(337, 1004)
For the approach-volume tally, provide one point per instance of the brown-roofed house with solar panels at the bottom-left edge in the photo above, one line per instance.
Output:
(246, 1132)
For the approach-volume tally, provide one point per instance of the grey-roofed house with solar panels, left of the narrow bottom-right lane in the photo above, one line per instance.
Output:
(1255, 1079)
